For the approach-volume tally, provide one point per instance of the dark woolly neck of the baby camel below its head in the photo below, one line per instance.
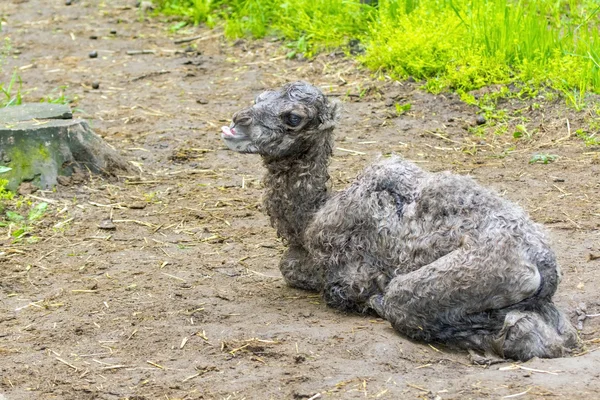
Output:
(295, 189)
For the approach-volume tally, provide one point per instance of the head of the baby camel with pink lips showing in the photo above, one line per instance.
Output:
(283, 123)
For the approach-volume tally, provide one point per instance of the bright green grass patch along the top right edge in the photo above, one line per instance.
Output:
(457, 45)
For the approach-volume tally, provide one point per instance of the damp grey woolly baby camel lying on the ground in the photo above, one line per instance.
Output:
(437, 255)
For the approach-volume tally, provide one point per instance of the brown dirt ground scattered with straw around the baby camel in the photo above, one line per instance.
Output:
(184, 300)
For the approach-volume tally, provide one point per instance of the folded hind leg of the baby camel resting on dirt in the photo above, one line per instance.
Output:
(471, 298)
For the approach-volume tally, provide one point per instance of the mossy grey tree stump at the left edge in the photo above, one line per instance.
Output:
(41, 150)
